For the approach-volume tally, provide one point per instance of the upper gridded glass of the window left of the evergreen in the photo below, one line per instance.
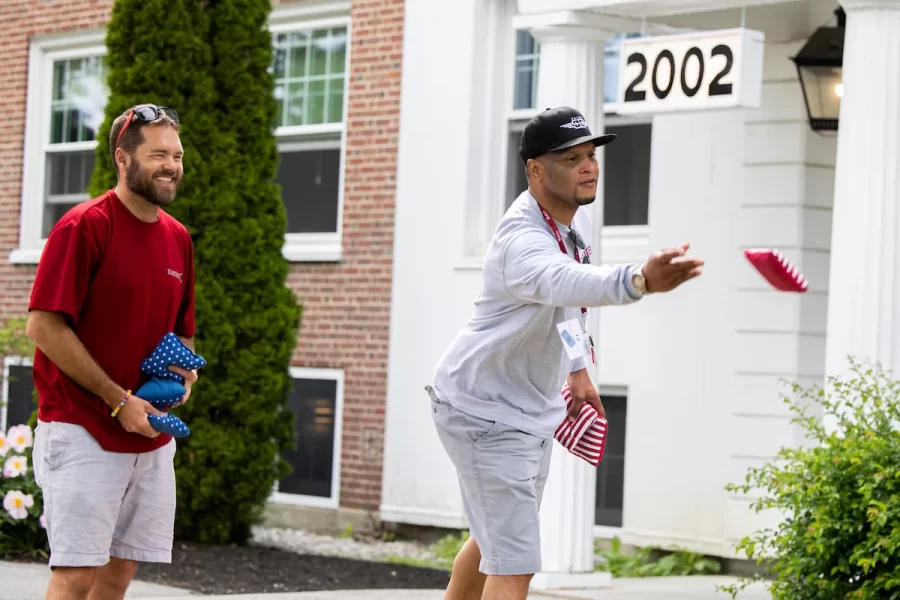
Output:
(79, 98)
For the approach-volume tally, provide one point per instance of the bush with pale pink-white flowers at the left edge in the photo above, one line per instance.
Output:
(22, 525)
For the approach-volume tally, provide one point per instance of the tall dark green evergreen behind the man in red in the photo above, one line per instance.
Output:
(209, 61)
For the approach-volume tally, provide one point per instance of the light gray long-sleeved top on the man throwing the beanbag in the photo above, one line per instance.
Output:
(509, 364)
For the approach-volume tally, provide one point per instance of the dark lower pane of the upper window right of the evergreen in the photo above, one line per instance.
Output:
(309, 187)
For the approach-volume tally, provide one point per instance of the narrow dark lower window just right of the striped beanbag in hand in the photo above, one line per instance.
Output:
(608, 499)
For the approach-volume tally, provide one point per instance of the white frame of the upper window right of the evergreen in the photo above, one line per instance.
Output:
(317, 247)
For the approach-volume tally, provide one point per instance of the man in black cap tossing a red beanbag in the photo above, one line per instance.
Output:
(496, 395)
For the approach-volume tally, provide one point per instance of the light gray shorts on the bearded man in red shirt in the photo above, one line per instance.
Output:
(100, 504)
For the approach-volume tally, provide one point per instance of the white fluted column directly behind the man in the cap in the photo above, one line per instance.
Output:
(571, 74)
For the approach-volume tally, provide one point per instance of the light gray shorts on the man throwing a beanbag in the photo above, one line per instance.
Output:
(502, 472)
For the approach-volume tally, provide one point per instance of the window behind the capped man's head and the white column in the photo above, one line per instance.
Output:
(626, 164)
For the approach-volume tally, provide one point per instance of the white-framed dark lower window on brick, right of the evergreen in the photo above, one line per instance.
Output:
(317, 403)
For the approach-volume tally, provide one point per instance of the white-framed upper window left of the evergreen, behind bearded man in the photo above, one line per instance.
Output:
(67, 95)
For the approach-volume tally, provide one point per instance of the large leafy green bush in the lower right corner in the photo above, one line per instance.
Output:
(839, 495)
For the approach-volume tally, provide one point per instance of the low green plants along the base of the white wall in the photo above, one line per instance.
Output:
(641, 563)
